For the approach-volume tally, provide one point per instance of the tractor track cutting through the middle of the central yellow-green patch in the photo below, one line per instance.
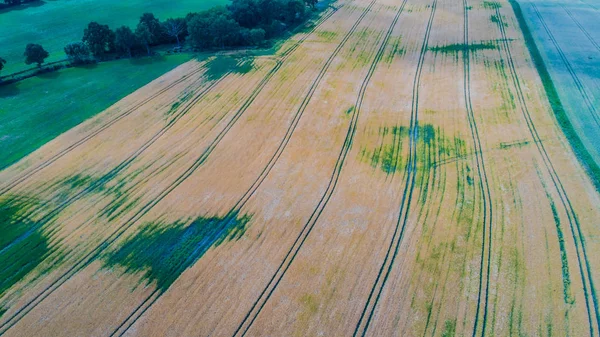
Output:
(410, 172)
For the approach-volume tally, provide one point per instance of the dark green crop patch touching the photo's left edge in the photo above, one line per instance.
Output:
(23, 243)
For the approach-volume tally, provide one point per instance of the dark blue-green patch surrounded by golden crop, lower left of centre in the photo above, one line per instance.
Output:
(162, 252)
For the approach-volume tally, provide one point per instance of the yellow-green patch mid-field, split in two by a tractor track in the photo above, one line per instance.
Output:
(433, 148)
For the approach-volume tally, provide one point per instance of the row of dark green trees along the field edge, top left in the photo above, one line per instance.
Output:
(241, 23)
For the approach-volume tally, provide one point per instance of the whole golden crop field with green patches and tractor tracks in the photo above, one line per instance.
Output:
(395, 169)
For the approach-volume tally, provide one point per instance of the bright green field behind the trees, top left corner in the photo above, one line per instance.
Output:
(54, 23)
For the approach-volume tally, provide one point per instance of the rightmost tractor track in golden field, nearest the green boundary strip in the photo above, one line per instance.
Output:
(578, 239)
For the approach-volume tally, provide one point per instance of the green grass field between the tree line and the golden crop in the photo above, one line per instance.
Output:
(36, 110)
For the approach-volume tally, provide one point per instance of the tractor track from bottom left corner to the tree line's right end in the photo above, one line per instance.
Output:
(92, 255)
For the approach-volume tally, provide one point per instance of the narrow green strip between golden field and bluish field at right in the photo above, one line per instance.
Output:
(586, 159)
